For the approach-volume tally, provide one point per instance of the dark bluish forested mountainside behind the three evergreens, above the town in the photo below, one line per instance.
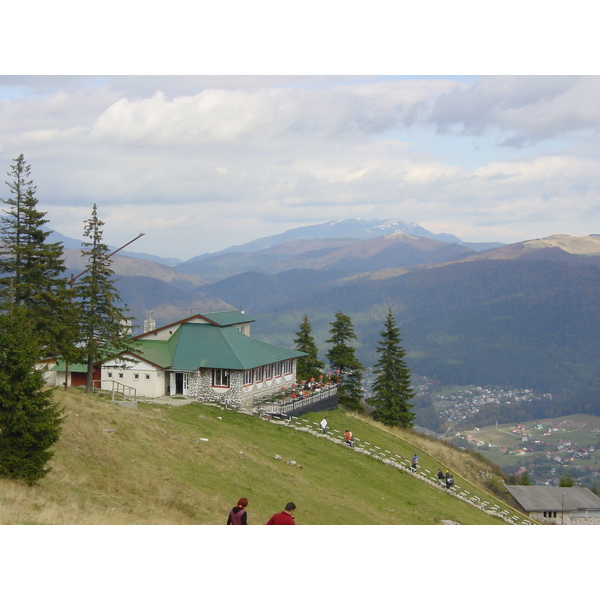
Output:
(520, 323)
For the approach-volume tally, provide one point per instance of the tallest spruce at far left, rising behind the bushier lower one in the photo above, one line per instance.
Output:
(31, 268)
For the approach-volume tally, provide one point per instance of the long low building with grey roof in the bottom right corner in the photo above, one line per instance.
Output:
(558, 505)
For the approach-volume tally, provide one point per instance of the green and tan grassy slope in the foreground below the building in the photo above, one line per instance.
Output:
(189, 464)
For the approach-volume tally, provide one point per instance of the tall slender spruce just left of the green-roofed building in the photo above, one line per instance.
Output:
(105, 326)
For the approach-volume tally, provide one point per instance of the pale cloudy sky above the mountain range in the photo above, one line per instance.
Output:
(202, 162)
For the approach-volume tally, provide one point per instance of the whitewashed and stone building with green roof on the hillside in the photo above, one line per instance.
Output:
(210, 357)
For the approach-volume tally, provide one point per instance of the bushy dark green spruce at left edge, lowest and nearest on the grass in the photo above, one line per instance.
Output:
(30, 421)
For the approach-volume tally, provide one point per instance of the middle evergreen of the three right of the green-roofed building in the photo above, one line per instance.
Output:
(341, 356)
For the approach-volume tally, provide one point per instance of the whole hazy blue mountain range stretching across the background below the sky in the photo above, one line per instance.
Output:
(523, 315)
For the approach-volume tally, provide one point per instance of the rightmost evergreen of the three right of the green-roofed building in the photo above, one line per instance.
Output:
(392, 389)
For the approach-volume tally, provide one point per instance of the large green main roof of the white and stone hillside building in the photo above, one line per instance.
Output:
(200, 345)
